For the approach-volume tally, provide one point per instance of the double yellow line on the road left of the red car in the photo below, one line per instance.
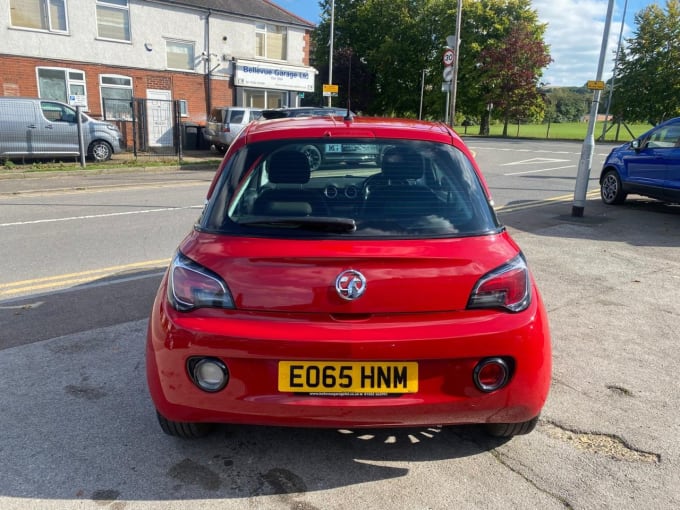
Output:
(70, 279)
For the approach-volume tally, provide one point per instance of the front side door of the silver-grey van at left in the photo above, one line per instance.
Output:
(58, 131)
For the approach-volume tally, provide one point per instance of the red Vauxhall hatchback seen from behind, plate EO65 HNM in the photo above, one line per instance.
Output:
(358, 294)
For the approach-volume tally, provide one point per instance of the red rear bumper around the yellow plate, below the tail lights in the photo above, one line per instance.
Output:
(446, 347)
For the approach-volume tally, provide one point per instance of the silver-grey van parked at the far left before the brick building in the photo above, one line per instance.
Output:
(40, 128)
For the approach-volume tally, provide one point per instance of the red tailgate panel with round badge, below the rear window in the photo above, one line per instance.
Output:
(280, 275)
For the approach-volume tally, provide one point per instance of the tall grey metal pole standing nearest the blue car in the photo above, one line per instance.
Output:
(586, 160)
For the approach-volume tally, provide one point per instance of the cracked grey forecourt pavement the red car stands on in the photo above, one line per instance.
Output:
(607, 437)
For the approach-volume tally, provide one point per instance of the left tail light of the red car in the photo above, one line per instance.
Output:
(191, 285)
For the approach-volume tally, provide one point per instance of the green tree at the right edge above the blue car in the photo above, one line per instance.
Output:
(647, 86)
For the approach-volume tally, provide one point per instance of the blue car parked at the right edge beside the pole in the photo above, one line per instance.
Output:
(649, 166)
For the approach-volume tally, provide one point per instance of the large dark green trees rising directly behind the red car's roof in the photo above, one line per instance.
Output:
(393, 41)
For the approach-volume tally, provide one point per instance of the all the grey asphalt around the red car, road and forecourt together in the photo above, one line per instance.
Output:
(79, 430)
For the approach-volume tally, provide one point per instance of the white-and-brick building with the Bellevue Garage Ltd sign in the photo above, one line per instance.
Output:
(101, 53)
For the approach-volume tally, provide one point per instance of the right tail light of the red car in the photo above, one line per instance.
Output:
(506, 287)
